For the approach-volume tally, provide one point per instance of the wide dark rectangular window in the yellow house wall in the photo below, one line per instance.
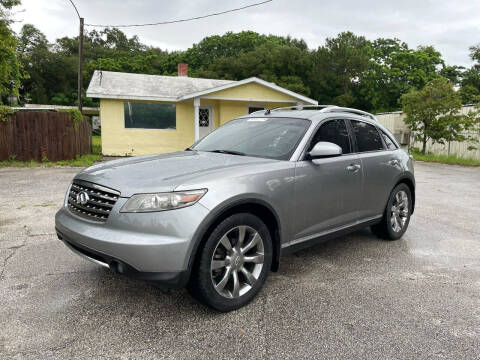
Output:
(149, 115)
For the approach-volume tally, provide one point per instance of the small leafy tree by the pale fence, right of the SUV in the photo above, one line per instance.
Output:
(433, 112)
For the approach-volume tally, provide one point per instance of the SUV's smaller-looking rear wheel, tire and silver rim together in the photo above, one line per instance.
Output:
(396, 216)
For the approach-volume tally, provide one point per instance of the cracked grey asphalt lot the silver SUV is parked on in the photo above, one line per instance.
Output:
(350, 298)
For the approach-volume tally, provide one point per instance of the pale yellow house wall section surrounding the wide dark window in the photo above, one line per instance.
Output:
(119, 141)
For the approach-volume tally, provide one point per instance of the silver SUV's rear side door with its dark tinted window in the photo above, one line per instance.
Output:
(380, 167)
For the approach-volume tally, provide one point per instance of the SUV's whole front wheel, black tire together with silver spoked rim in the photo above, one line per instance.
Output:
(229, 274)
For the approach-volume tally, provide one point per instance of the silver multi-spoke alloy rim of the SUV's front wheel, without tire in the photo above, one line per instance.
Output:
(237, 261)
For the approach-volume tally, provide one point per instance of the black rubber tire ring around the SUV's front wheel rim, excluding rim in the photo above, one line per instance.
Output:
(203, 285)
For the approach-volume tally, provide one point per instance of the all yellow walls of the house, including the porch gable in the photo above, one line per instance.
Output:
(119, 141)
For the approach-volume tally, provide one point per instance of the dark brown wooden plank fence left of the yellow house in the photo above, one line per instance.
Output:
(40, 136)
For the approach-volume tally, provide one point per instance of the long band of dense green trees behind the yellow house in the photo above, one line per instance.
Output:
(348, 70)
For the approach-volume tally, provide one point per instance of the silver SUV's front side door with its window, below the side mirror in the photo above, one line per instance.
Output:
(327, 191)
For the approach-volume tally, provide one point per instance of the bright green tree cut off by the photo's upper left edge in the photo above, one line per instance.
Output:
(9, 68)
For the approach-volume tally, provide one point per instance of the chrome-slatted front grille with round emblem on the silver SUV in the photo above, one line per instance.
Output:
(98, 203)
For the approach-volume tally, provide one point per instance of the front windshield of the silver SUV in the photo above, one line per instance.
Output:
(274, 138)
